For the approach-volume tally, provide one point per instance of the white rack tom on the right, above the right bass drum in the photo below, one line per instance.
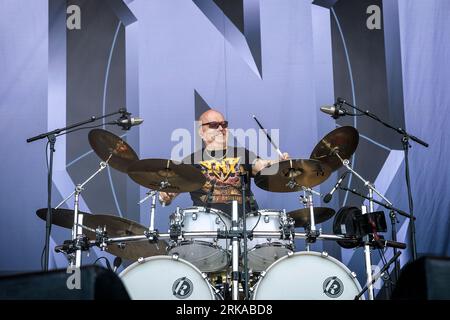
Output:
(262, 252)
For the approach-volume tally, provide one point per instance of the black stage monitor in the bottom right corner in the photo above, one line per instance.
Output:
(427, 278)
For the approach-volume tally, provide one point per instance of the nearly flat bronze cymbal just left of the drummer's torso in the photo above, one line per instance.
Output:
(151, 173)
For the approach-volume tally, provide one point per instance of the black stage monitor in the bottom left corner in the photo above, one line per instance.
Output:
(93, 283)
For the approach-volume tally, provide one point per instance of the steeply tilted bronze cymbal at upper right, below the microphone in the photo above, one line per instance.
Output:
(343, 141)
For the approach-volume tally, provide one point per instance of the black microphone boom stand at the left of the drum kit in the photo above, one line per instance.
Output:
(51, 136)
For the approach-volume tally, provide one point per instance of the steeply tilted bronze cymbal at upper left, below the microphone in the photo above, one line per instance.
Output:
(105, 143)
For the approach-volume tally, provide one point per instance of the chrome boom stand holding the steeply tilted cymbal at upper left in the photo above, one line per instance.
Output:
(75, 258)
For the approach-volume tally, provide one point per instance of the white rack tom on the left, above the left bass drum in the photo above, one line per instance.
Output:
(207, 254)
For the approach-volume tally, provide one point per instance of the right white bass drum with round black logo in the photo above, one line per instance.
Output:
(307, 276)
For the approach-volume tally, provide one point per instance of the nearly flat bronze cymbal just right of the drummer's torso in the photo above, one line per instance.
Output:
(292, 175)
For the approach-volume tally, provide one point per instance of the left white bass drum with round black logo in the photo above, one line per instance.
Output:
(165, 278)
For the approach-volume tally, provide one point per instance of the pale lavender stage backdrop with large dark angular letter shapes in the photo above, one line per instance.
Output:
(167, 61)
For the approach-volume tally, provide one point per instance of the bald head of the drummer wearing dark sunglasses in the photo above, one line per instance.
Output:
(213, 129)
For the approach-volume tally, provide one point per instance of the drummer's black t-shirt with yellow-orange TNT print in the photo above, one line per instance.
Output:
(223, 180)
